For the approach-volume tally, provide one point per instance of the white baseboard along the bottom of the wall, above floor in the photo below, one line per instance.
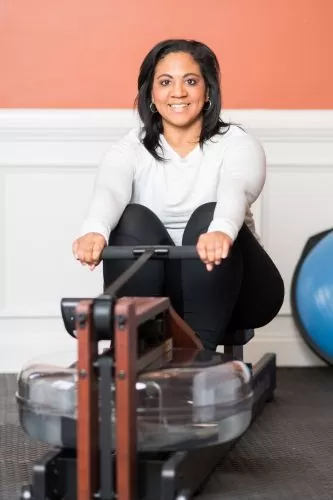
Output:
(40, 338)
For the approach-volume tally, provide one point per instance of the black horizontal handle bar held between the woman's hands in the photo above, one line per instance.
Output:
(159, 252)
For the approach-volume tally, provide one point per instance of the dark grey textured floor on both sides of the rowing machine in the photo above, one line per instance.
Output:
(287, 453)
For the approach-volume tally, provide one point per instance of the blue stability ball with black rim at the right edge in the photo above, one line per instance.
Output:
(312, 295)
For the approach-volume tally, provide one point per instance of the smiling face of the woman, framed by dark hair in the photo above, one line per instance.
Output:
(179, 91)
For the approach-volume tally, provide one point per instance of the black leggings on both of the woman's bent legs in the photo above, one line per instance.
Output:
(244, 291)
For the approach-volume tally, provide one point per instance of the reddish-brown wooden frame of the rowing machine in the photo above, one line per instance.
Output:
(129, 314)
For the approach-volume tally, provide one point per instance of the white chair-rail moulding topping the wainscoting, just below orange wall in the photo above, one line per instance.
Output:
(110, 124)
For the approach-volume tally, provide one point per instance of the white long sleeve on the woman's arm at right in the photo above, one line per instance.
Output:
(242, 178)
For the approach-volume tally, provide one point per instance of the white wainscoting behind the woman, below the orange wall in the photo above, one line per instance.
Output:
(48, 160)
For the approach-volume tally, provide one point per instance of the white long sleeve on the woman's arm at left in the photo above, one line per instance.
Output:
(112, 189)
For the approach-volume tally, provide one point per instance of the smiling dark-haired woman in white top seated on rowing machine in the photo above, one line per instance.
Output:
(186, 178)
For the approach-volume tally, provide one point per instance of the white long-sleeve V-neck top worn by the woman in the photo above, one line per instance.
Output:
(229, 170)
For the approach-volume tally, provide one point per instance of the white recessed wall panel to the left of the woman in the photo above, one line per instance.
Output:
(43, 208)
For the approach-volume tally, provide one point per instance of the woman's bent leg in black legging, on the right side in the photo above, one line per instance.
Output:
(245, 291)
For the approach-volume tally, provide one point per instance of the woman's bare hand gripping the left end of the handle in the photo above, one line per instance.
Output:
(88, 249)
